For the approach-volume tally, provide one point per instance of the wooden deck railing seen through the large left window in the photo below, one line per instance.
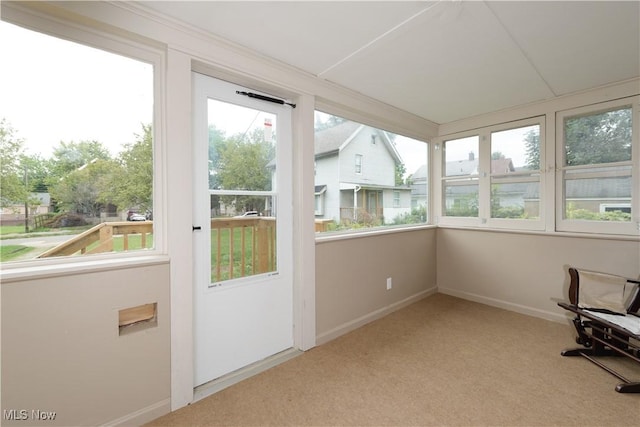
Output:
(100, 239)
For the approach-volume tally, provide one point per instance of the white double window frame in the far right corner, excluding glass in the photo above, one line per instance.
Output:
(484, 220)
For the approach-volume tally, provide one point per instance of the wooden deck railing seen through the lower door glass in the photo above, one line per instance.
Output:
(242, 247)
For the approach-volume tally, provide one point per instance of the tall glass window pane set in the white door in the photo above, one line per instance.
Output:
(242, 185)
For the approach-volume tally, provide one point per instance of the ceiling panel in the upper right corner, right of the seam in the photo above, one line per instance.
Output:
(576, 45)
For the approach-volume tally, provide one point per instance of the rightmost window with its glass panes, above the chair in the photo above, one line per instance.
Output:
(596, 180)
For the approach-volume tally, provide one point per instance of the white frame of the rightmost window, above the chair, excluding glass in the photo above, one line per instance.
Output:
(590, 226)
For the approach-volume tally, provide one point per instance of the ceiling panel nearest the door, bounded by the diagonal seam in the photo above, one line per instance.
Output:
(311, 36)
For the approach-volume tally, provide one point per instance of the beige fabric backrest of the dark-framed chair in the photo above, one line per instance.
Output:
(591, 289)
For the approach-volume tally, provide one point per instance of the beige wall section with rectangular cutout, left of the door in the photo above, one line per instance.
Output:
(62, 351)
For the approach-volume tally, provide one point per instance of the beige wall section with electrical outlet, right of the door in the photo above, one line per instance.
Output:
(351, 277)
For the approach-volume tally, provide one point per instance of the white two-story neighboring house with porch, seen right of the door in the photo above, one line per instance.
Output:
(355, 175)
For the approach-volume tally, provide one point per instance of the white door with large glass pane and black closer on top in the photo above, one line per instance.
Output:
(243, 278)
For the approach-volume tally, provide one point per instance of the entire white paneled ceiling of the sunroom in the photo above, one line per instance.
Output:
(440, 60)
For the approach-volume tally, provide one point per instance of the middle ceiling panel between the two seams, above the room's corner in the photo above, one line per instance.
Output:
(453, 61)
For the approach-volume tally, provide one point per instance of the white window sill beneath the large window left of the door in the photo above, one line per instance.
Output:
(68, 268)
